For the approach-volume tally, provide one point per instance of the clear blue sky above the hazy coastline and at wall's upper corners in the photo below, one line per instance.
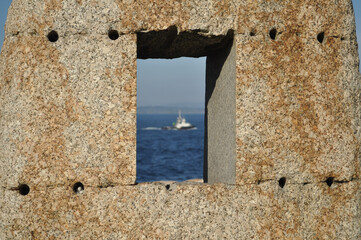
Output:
(177, 82)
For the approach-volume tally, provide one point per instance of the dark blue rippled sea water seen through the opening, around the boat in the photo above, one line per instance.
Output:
(169, 154)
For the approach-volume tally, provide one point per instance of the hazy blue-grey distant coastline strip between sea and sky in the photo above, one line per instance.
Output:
(169, 110)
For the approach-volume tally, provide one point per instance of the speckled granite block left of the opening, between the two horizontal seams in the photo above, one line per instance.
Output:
(67, 116)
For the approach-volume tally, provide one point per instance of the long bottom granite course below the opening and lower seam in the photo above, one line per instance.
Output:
(194, 211)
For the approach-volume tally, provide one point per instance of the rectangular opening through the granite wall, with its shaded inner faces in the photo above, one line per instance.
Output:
(208, 151)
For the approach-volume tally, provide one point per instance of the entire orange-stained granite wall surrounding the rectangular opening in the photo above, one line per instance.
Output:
(68, 114)
